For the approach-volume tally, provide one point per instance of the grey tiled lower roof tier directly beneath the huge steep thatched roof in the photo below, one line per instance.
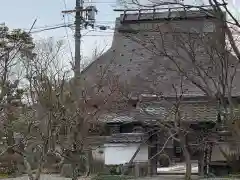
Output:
(151, 111)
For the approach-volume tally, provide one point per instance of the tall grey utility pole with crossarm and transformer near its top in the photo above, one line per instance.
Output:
(84, 17)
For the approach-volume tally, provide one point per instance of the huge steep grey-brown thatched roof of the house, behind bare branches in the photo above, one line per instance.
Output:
(142, 71)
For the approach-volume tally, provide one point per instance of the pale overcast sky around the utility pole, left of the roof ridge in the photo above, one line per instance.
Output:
(21, 14)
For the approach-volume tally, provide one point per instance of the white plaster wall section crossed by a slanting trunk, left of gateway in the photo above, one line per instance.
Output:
(122, 153)
